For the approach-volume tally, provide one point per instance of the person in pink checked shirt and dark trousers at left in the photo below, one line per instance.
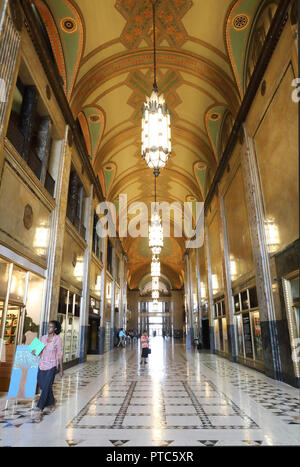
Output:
(50, 360)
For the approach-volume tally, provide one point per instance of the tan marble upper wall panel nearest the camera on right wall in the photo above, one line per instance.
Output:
(277, 159)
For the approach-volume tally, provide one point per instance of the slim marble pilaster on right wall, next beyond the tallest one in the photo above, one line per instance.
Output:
(227, 280)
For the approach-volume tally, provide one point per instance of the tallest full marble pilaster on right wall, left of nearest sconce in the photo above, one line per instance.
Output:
(272, 361)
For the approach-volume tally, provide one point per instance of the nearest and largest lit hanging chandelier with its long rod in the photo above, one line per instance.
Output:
(156, 126)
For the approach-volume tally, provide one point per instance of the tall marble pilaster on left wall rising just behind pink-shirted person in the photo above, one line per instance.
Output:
(57, 230)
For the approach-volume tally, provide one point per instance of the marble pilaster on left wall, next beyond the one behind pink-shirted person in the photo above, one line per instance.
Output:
(85, 302)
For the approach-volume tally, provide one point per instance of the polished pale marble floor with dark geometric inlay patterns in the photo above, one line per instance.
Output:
(180, 398)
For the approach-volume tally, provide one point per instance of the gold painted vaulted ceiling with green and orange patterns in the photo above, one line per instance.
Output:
(104, 52)
